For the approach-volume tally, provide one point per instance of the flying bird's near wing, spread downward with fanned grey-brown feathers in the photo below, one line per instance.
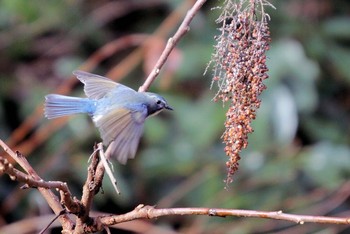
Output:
(122, 129)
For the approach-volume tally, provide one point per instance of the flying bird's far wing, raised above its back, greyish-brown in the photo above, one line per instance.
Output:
(95, 86)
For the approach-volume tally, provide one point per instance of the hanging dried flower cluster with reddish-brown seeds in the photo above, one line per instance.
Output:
(239, 70)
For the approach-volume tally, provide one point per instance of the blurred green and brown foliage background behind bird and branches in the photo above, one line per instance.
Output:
(297, 160)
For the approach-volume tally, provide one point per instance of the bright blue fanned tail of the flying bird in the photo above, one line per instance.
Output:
(59, 105)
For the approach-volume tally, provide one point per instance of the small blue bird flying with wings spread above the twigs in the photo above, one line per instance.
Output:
(118, 112)
